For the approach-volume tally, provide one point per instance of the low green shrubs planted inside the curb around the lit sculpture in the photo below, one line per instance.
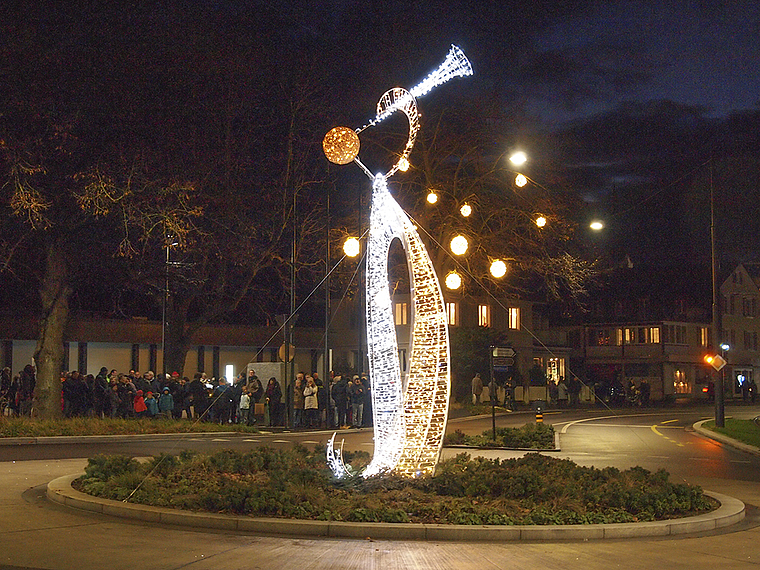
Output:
(294, 483)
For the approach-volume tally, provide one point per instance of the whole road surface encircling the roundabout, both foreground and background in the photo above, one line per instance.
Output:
(35, 534)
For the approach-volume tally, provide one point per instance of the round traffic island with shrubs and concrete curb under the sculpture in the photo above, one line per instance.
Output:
(290, 492)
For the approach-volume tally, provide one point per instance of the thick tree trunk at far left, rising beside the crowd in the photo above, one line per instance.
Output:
(54, 293)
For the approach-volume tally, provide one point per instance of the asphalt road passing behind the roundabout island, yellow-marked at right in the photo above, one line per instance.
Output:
(653, 439)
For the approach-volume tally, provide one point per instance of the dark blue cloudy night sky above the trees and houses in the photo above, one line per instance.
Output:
(623, 102)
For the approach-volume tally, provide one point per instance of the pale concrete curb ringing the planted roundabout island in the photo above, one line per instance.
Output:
(731, 511)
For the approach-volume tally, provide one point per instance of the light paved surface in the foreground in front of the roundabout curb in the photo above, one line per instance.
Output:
(36, 533)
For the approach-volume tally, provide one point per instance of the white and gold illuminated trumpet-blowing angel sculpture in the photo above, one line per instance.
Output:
(409, 413)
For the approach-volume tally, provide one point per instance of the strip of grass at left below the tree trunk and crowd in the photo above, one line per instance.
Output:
(28, 427)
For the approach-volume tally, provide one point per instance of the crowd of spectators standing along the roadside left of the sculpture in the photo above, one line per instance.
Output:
(342, 402)
